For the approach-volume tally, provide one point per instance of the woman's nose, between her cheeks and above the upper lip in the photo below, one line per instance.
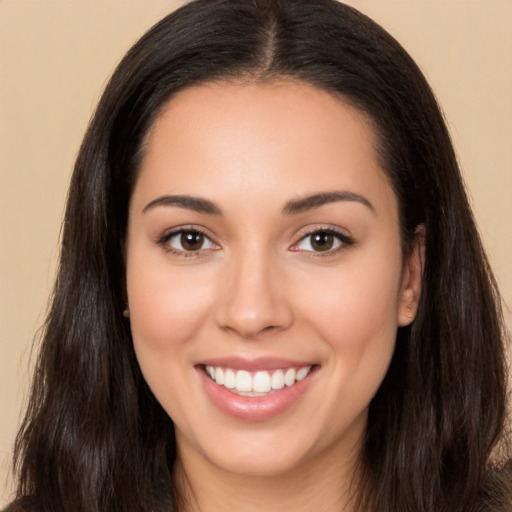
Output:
(254, 297)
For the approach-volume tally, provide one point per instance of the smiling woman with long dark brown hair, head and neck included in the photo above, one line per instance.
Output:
(272, 294)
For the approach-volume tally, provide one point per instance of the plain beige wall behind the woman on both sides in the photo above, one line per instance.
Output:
(55, 57)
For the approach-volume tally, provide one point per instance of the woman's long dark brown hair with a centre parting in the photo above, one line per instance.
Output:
(95, 439)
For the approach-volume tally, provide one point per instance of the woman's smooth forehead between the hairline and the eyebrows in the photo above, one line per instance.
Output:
(285, 137)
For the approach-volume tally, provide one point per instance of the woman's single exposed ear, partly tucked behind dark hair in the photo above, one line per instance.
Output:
(410, 289)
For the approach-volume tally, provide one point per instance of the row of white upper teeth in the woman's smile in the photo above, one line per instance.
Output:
(259, 383)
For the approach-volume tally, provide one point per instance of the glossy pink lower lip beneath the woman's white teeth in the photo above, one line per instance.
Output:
(258, 408)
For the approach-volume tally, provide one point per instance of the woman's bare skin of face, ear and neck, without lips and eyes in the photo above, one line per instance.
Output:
(255, 288)
